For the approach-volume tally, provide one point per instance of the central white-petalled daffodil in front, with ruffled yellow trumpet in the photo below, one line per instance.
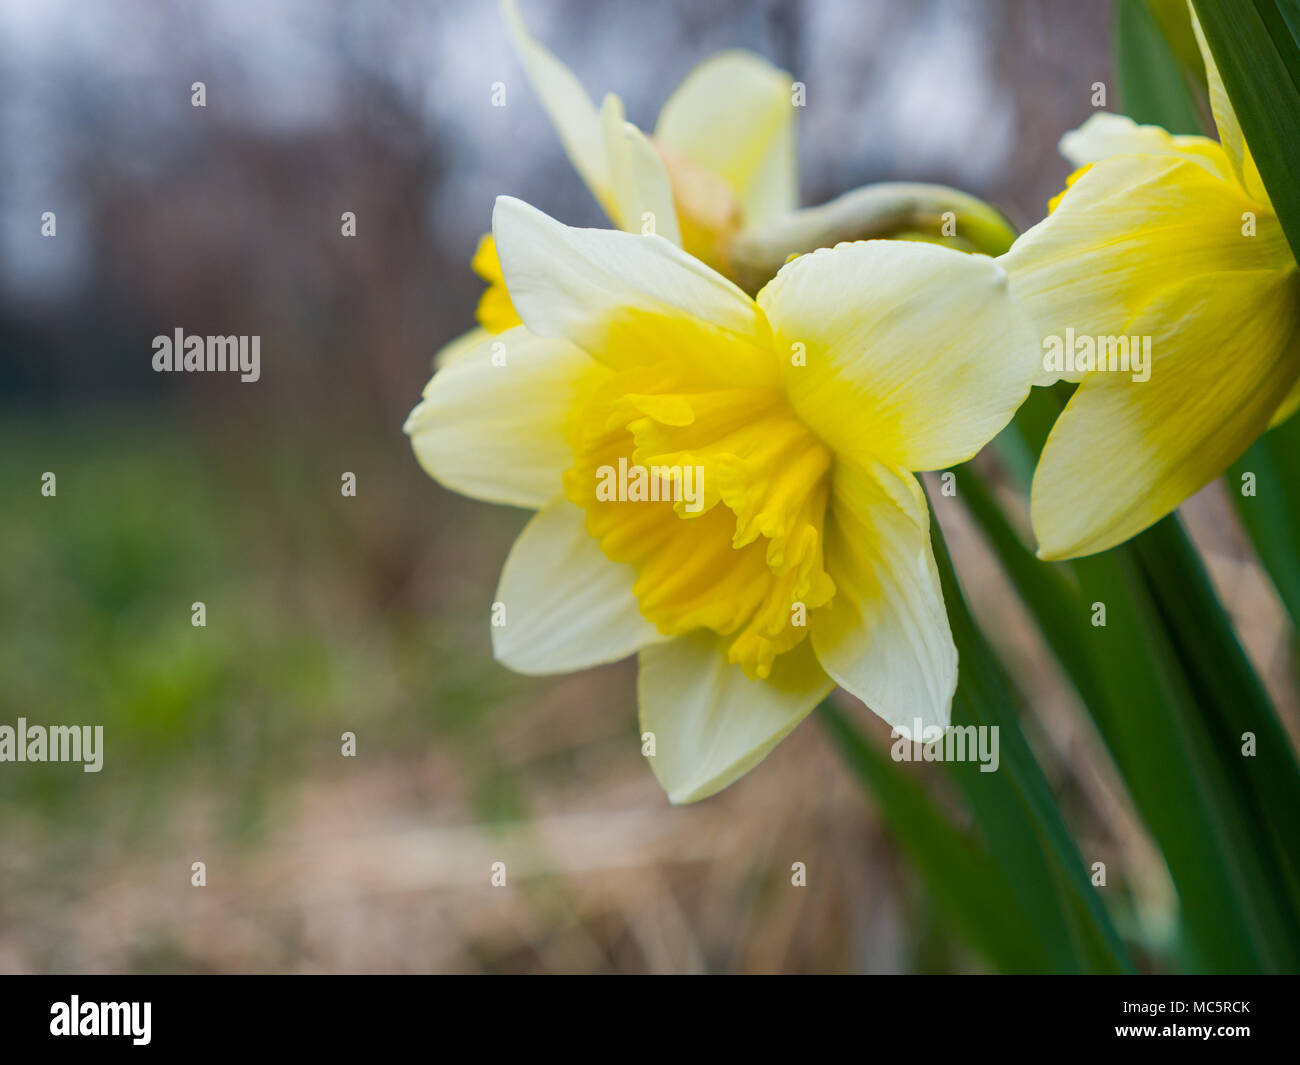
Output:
(725, 486)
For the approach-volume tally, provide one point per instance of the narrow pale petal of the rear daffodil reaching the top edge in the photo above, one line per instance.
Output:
(567, 105)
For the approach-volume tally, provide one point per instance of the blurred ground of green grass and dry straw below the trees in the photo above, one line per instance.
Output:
(330, 614)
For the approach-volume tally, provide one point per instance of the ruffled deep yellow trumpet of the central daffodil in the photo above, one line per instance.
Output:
(714, 492)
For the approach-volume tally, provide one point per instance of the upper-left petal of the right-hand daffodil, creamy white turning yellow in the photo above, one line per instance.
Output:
(1129, 230)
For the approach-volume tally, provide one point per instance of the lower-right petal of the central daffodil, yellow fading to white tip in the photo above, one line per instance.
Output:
(886, 638)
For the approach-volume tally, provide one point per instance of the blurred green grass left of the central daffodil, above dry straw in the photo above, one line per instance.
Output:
(318, 614)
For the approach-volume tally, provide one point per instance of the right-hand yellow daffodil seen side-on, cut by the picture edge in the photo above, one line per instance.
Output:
(1169, 243)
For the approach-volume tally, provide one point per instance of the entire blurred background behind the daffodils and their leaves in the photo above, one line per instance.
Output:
(370, 614)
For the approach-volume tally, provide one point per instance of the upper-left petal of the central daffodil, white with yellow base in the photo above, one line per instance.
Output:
(629, 300)
